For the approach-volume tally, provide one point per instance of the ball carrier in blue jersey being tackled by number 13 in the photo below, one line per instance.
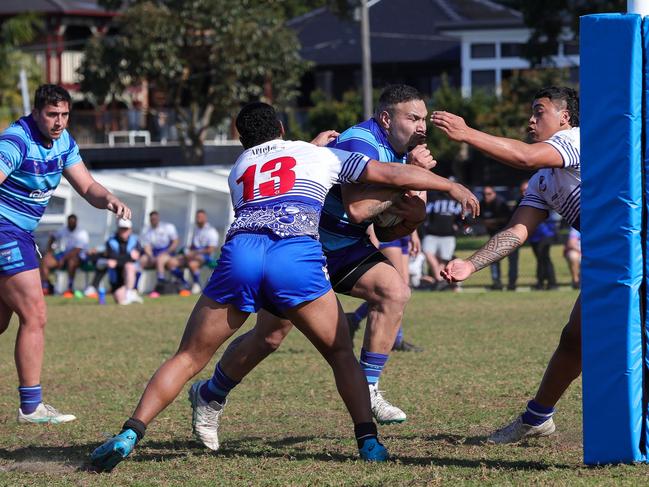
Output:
(356, 267)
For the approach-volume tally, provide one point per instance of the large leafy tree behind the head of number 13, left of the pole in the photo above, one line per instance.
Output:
(208, 56)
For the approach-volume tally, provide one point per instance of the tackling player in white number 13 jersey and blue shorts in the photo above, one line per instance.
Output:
(272, 259)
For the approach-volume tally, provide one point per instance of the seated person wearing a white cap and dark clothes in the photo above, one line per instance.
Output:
(120, 261)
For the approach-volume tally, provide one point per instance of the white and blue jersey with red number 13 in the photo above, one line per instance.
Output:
(279, 186)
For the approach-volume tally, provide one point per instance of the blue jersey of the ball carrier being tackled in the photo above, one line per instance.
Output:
(337, 231)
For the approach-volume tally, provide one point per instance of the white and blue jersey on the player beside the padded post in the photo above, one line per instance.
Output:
(559, 189)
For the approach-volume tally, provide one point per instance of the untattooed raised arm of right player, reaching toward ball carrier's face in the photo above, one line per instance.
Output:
(508, 151)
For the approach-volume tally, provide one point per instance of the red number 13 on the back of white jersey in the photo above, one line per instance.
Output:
(281, 174)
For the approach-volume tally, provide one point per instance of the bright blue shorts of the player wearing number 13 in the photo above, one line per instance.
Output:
(263, 271)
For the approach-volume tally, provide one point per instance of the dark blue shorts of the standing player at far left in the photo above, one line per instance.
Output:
(17, 250)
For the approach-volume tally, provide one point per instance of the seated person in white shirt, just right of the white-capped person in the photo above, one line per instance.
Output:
(160, 241)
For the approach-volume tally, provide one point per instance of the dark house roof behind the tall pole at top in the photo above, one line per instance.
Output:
(404, 31)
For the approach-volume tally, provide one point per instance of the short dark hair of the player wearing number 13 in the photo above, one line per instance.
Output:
(257, 123)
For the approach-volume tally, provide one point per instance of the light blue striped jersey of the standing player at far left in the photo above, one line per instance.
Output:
(33, 171)
